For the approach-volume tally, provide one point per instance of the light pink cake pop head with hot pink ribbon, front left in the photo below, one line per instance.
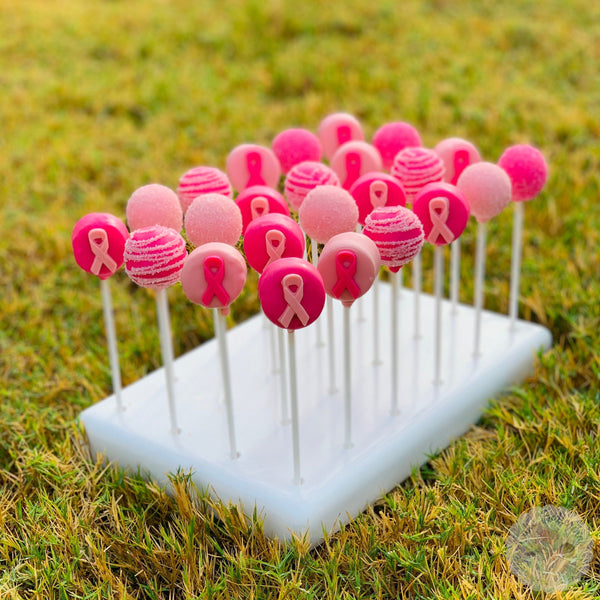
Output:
(214, 275)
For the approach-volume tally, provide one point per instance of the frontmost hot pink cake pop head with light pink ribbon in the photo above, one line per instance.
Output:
(291, 293)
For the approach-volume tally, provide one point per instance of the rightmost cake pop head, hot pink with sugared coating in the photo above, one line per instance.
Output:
(527, 170)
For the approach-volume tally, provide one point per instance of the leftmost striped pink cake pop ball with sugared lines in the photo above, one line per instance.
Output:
(154, 256)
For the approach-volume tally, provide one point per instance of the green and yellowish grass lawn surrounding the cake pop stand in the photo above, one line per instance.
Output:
(101, 97)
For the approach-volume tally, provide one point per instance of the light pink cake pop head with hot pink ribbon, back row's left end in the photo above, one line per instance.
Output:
(251, 164)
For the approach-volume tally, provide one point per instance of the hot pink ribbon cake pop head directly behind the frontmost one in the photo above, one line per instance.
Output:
(270, 238)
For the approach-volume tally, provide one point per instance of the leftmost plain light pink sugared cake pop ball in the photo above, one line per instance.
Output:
(154, 204)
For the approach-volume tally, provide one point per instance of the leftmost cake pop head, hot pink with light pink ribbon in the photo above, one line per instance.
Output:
(99, 243)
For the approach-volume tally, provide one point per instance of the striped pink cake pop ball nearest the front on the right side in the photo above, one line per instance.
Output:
(397, 233)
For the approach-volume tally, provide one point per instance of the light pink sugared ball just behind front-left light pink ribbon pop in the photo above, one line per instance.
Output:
(213, 218)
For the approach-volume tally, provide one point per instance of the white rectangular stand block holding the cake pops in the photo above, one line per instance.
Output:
(337, 483)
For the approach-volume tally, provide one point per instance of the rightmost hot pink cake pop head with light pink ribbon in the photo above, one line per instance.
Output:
(443, 211)
